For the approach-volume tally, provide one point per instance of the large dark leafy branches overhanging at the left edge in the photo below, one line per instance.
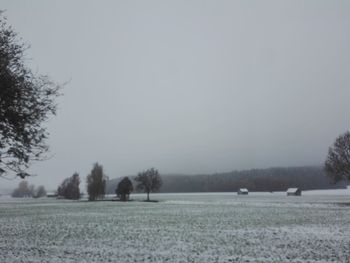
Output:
(26, 102)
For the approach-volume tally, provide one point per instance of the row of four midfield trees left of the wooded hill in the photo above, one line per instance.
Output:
(147, 181)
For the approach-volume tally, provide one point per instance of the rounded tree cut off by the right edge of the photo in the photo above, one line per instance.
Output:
(337, 165)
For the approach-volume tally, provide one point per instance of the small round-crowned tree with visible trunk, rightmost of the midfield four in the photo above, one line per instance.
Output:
(149, 181)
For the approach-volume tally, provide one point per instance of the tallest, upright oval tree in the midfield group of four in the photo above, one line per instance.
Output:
(96, 183)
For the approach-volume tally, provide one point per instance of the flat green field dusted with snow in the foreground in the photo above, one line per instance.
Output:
(216, 227)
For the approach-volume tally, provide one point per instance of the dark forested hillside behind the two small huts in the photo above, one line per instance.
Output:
(270, 179)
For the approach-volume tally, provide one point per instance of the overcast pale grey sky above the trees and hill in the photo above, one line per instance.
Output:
(188, 86)
